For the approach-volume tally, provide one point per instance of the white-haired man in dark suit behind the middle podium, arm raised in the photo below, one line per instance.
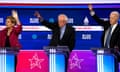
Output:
(63, 34)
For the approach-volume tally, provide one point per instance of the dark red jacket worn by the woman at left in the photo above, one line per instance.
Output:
(13, 38)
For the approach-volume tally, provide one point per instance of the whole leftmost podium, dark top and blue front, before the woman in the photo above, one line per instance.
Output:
(7, 59)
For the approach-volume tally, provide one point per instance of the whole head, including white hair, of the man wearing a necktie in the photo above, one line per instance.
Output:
(114, 17)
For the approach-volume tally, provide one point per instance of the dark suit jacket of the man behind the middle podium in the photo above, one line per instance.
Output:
(68, 38)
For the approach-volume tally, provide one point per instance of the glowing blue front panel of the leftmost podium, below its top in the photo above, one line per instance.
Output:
(7, 63)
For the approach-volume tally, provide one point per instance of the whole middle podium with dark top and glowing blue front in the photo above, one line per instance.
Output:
(57, 56)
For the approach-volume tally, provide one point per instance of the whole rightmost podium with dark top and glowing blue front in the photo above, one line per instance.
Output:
(106, 59)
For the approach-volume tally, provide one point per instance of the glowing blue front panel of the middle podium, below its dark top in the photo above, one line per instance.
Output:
(56, 62)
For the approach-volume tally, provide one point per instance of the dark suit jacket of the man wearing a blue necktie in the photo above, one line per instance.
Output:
(114, 41)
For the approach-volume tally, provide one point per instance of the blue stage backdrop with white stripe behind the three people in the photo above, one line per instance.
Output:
(35, 36)
